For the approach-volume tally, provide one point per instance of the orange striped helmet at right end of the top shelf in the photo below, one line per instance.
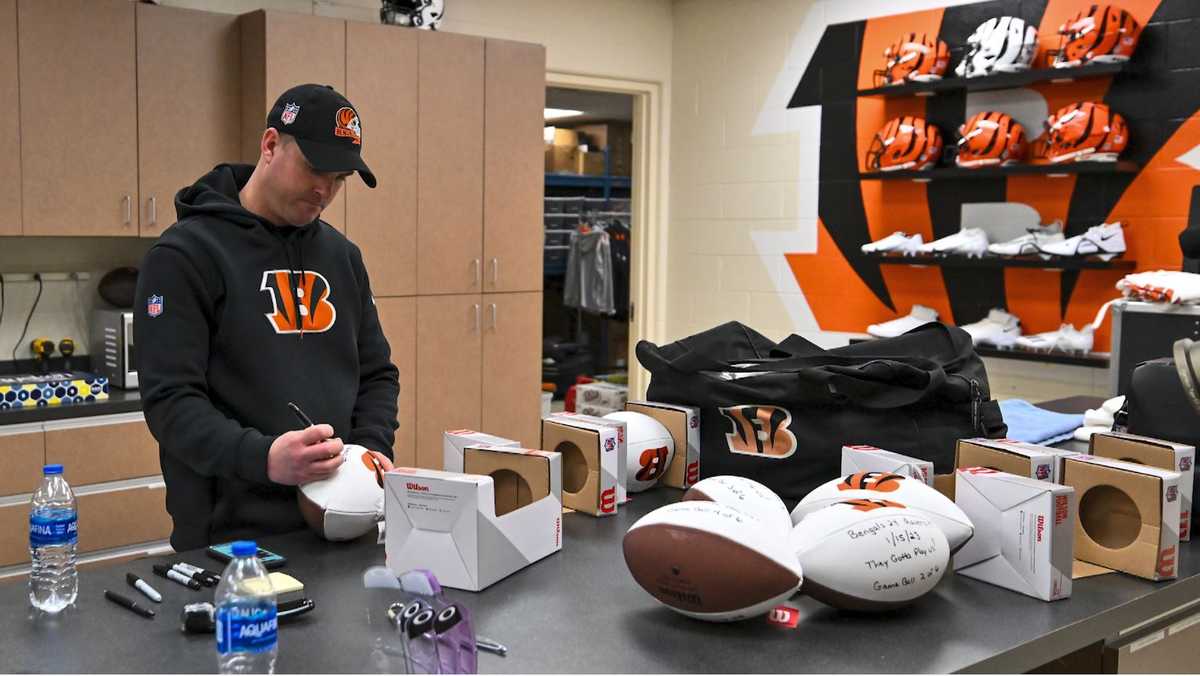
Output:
(1103, 34)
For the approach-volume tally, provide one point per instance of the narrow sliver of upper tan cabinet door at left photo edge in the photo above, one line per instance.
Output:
(10, 123)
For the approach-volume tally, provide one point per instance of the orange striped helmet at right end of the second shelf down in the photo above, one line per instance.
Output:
(1087, 131)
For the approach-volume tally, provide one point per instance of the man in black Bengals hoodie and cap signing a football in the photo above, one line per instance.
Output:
(251, 302)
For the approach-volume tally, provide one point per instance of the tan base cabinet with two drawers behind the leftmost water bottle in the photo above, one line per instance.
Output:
(112, 463)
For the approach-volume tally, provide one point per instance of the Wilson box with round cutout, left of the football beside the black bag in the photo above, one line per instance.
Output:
(590, 463)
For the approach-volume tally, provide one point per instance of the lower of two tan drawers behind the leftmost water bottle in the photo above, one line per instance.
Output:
(110, 519)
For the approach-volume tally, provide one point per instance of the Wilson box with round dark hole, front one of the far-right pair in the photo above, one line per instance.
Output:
(1129, 516)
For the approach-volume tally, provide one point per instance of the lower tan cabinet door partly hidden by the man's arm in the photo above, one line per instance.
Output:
(398, 316)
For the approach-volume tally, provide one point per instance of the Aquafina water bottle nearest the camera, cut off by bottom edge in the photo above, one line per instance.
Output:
(247, 615)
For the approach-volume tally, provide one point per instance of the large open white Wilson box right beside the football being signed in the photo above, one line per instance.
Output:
(473, 530)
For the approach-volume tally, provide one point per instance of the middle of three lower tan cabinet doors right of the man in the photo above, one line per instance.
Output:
(448, 370)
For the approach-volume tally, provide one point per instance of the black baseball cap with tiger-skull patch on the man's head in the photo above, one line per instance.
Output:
(326, 127)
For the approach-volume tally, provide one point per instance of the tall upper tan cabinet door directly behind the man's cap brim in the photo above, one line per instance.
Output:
(383, 222)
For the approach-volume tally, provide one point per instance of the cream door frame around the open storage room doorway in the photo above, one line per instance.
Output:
(649, 207)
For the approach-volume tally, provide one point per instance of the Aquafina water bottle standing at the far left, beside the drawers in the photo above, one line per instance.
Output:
(53, 582)
